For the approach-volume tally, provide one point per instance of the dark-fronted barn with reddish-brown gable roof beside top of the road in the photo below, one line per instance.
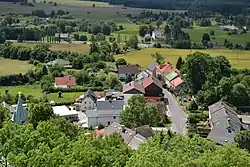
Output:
(152, 86)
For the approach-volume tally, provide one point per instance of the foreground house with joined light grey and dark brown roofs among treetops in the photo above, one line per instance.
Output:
(132, 138)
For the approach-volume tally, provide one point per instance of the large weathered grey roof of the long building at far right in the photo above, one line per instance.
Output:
(225, 122)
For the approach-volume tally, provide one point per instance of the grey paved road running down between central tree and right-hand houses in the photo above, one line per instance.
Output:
(178, 116)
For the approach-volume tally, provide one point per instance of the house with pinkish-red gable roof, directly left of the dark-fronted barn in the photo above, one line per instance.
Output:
(133, 88)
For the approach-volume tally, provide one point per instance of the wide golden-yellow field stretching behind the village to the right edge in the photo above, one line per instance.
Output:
(143, 57)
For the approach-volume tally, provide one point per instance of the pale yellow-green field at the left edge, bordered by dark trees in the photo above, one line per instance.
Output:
(8, 66)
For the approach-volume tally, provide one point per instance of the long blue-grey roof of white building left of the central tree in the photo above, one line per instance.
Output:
(110, 105)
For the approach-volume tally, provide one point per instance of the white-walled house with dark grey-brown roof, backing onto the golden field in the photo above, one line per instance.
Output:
(127, 71)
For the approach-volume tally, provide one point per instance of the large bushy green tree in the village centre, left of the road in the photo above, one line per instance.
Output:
(138, 113)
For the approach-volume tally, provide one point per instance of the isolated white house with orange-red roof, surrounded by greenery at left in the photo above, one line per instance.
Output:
(65, 82)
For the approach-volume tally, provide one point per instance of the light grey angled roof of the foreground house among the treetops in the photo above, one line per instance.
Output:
(130, 137)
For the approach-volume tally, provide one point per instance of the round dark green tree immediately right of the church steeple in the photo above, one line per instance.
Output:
(39, 112)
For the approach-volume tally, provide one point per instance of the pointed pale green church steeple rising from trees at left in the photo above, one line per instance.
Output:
(20, 116)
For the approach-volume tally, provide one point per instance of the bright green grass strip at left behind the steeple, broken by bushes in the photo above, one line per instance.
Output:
(36, 92)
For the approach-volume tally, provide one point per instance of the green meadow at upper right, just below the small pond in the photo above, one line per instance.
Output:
(220, 35)
